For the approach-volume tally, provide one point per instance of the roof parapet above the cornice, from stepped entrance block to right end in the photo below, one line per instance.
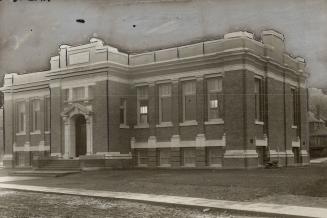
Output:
(271, 47)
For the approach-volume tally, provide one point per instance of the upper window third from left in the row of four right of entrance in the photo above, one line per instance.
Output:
(189, 100)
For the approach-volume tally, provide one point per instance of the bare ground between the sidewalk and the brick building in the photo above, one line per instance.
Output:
(303, 186)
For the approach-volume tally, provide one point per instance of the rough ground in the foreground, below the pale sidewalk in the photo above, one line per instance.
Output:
(28, 204)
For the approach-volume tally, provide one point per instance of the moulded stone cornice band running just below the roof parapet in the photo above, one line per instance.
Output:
(216, 60)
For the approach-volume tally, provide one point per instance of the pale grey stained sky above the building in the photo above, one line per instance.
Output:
(31, 31)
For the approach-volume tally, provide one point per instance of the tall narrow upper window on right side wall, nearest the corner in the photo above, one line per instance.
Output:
(258, 99)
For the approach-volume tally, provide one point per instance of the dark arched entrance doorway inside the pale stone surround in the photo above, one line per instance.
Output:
(80, 135)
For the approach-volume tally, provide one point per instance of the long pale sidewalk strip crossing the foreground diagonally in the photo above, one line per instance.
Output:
(245, 207)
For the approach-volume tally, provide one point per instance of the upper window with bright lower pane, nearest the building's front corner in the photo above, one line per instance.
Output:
(215, 98)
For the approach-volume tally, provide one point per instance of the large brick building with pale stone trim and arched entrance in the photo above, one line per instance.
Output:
(234, 102)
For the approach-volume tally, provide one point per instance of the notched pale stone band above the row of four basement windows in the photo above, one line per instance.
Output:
(175, 142)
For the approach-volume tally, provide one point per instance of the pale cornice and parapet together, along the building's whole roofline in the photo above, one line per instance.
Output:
(239, 47)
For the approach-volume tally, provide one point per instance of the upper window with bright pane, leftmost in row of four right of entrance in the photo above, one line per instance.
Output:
(142, 102)
